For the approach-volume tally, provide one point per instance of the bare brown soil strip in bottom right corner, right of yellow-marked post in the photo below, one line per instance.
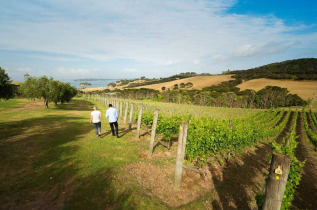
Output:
(306, 193)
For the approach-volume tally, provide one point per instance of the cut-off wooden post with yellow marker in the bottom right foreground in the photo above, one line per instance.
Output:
(278, 174)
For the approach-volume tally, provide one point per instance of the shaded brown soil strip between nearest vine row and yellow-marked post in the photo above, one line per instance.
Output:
(240, 181)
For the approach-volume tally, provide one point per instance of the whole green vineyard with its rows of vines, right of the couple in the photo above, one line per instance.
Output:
(222, 134)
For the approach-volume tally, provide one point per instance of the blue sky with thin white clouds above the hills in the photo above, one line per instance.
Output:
(69, 39)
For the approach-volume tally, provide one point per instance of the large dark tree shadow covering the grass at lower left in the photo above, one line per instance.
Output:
(40, 168)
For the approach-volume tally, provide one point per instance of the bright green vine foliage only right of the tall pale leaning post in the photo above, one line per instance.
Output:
(207, 137)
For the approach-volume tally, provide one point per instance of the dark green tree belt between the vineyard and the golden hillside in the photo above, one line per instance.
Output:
(270, 96)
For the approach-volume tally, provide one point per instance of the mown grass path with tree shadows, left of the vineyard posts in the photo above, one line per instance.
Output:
(52, 159)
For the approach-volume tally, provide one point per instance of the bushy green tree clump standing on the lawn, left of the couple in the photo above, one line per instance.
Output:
(47, 89)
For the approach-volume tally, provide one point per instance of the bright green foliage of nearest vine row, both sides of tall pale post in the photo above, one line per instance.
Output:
(214, 136)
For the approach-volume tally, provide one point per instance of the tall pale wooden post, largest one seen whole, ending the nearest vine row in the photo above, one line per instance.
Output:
(182, 137)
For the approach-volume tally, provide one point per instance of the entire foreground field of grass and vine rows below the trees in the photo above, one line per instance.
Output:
(52, 159)
